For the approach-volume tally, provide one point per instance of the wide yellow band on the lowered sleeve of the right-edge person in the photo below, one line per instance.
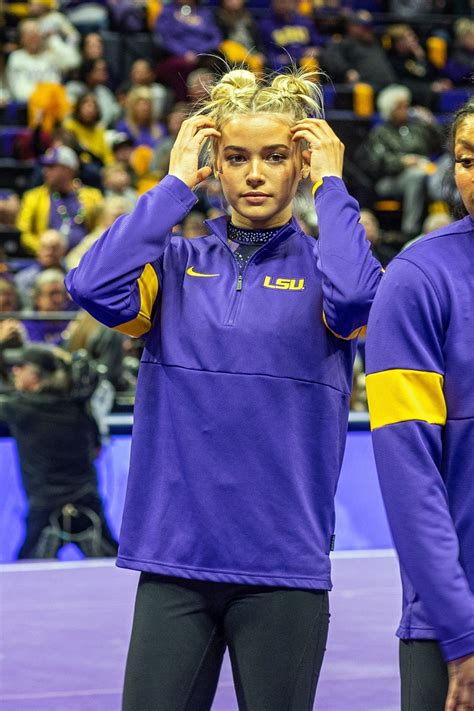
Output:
(402, 395)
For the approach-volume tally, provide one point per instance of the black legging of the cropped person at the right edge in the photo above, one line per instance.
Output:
(424, 676)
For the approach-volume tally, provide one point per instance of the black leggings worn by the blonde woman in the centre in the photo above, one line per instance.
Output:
(181, 628)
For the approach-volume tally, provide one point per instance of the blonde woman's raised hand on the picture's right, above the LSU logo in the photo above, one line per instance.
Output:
(325, 153)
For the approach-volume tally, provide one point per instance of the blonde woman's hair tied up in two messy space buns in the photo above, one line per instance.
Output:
(295, 93)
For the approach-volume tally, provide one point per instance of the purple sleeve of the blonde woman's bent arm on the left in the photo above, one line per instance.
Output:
(106, 281)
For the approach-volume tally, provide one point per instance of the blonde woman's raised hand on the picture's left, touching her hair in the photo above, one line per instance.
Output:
(184, 157)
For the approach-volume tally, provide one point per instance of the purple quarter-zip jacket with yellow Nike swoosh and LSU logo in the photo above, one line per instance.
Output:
(243, 392)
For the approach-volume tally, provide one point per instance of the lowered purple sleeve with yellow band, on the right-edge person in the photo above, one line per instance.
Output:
(405, 338)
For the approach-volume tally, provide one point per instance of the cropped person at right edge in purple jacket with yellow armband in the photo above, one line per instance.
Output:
(420, 385)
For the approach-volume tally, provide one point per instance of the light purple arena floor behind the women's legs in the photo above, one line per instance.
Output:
(65, 628)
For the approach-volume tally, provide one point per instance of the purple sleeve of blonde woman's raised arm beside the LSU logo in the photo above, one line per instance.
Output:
(350, 272)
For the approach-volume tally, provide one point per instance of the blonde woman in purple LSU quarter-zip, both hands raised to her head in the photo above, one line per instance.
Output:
(242, 398)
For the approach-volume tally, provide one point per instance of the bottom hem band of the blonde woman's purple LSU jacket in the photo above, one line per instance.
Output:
(224, 576)
